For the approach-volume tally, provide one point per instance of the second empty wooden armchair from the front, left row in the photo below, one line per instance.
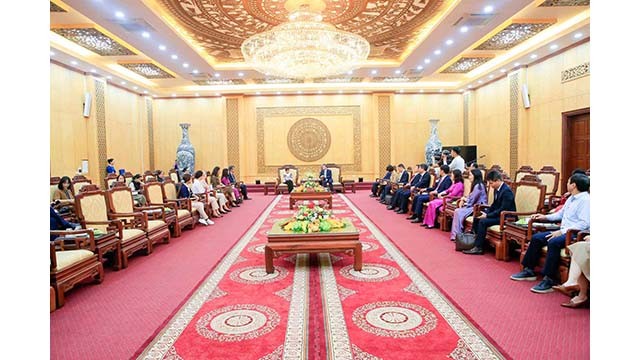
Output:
(93, 211)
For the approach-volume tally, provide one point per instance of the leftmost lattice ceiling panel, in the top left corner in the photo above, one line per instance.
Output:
(94, 40)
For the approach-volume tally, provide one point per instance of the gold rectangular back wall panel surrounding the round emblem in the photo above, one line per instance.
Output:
(269, 119)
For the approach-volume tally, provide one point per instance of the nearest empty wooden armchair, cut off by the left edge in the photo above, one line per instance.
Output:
(72, 261)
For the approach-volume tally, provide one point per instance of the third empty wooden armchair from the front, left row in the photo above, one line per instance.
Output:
(148, 219)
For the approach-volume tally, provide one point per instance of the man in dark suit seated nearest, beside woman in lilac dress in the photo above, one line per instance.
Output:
(504, 200)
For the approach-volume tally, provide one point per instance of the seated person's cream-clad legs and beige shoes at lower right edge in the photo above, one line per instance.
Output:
(579, 274)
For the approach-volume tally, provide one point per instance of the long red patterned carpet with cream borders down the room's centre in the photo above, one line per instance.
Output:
(318, 307)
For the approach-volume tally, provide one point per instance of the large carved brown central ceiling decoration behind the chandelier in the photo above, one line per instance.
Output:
(220, 26)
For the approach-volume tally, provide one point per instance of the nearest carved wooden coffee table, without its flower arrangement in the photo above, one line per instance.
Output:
(345, 240)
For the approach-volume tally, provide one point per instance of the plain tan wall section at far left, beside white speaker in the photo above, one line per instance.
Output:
(68, 128)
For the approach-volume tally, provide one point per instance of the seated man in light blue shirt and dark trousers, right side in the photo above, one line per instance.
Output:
(575, 214)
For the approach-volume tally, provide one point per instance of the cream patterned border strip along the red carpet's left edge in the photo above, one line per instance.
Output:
(163, 342)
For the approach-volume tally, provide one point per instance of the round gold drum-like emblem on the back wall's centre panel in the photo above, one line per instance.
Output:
(309, 139)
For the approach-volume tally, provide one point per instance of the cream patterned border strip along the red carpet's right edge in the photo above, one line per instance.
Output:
(481, 346)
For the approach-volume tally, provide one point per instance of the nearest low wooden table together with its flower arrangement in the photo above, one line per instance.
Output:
(313, 230)
